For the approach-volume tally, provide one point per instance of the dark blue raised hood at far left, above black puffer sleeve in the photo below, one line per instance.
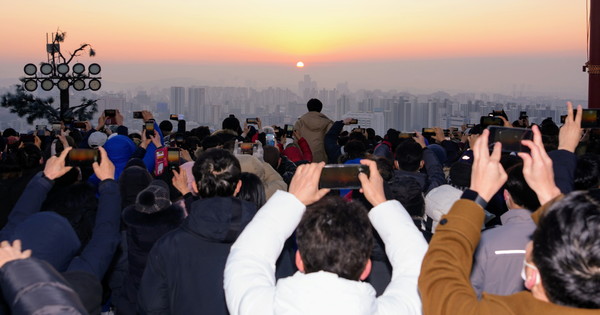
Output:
(50, 237)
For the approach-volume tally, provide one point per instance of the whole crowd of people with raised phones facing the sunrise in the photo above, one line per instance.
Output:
(235, 221)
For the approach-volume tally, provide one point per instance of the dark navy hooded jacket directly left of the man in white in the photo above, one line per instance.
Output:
(184, 272)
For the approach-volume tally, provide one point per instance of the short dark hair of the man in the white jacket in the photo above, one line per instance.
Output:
(335, 235)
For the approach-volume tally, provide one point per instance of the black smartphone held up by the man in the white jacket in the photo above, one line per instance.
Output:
(342, 176)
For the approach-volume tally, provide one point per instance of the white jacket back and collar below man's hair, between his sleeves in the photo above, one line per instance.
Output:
(323, 293)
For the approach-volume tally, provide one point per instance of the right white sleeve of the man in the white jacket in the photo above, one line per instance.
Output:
(405, 247)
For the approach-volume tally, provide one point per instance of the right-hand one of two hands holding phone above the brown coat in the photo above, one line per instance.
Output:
(537, 168)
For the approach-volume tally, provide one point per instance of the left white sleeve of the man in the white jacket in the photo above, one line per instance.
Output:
(249, 279)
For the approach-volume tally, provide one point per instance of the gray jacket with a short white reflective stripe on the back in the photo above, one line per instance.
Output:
(499, 256)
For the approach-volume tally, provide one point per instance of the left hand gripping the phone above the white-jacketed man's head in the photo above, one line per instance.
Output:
(305, 183)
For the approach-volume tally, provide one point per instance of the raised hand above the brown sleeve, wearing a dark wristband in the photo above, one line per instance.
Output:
(487, 175)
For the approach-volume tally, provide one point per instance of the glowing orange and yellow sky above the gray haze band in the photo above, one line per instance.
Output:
(287, 31)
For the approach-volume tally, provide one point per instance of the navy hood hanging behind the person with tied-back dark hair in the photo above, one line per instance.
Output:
(211, 218)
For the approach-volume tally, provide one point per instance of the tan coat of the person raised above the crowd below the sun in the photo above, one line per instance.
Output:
(313, 126)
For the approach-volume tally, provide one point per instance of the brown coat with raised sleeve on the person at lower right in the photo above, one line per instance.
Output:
(444, 281)
